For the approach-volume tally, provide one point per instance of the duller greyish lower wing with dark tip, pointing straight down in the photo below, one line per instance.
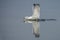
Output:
(36, 28)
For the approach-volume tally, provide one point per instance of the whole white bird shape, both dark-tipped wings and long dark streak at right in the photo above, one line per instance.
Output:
(35, 18)
